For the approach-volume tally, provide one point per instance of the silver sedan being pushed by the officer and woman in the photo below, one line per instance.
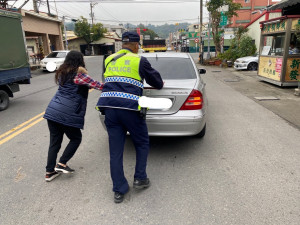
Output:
(185, 87)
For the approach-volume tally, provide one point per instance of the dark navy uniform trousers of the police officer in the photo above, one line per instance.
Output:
(118, 122)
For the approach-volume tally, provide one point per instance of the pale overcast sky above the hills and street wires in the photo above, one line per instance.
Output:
(132, 11)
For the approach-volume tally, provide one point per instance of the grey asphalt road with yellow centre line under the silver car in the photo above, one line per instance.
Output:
(244, 171)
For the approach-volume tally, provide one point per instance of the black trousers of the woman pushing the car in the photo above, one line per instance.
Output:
(57, 132)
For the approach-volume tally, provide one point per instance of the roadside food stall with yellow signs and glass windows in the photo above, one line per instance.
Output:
(279, 61)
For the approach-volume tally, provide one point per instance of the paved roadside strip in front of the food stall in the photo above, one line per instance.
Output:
(286, 105)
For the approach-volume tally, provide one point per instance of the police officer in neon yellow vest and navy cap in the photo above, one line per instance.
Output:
(124, 74)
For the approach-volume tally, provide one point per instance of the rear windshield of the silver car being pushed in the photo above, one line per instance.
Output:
(173, 68)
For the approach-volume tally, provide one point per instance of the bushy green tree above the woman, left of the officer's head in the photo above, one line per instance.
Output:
(89, 32)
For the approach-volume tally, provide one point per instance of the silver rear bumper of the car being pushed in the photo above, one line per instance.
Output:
(183, 123)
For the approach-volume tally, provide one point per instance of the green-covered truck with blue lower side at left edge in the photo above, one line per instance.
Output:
(14, 65)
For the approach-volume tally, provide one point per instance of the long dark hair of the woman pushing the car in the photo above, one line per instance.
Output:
(69, 68)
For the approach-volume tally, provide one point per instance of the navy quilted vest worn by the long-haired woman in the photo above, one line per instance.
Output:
(68, 106)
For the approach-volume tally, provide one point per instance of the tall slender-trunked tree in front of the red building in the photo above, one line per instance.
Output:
(212, 7)
